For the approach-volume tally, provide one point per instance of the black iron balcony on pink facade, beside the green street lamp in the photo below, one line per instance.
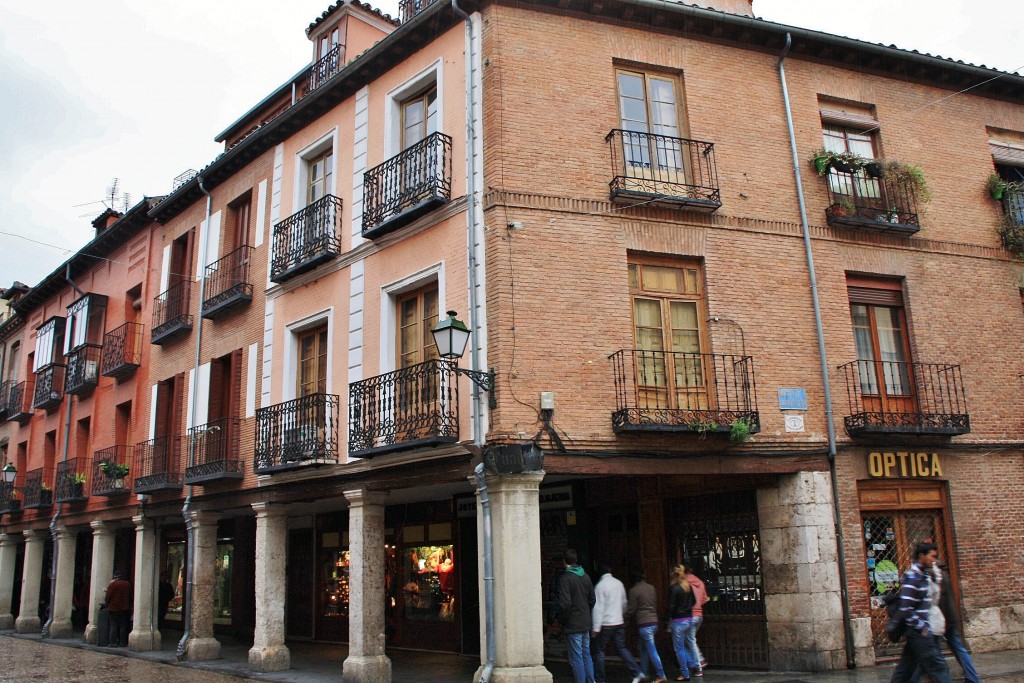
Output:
(412, 408)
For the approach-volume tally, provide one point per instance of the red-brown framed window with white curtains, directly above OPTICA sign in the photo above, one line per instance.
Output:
(881, 338)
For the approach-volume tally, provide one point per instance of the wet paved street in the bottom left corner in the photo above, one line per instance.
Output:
(26, 662)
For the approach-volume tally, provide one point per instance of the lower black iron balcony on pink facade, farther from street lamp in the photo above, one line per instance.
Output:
(297, 434)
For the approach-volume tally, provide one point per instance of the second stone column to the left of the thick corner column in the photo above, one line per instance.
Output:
(269, 652)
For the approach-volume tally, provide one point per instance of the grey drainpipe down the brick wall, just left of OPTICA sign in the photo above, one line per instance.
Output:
(841, 553)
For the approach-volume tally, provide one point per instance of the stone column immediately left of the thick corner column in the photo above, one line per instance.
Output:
(366, 662)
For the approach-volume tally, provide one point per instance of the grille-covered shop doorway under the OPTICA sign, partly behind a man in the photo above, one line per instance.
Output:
(889, 541)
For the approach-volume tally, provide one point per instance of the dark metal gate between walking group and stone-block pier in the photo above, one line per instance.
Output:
(719, 537)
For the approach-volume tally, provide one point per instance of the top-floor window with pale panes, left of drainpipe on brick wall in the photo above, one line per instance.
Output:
(650, 113)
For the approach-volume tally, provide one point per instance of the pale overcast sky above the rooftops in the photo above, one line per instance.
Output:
(95, 91)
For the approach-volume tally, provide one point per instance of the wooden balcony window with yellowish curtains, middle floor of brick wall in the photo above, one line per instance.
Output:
(668, 307)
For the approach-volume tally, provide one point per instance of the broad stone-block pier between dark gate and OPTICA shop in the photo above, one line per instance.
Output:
(799, 561)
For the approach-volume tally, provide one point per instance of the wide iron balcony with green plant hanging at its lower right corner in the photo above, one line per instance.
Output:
(667, 392)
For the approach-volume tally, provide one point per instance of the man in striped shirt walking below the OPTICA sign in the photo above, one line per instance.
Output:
(916, 597)
